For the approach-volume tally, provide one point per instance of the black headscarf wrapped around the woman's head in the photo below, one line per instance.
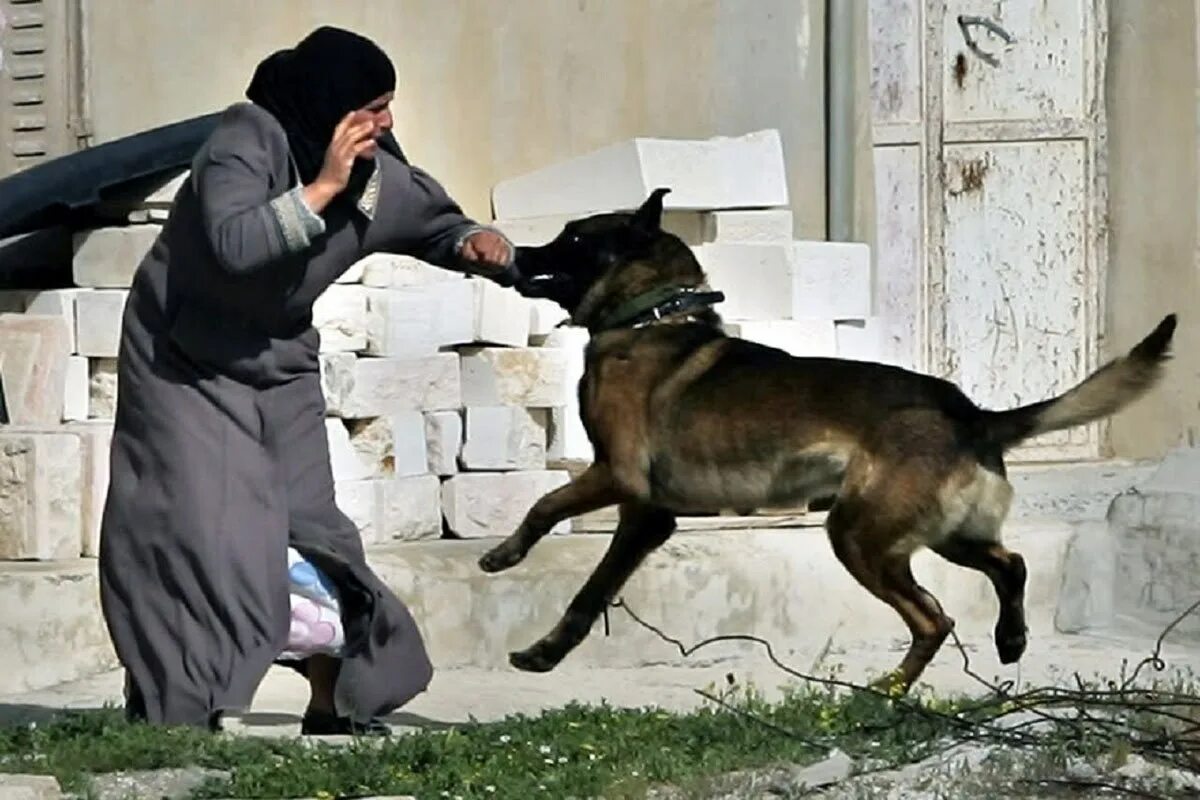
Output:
(310, 88)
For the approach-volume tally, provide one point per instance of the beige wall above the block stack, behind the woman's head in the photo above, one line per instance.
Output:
(490, 89)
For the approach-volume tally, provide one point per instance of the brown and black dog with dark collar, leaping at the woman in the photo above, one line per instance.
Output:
(686, 420)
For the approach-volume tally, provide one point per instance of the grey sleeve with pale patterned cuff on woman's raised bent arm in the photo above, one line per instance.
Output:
(248, 221)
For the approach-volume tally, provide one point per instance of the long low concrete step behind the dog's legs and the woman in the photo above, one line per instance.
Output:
(781, 585)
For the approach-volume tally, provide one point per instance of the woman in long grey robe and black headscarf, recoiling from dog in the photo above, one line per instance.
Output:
(220, 461)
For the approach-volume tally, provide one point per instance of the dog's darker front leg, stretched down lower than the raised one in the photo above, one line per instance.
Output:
(639, 533)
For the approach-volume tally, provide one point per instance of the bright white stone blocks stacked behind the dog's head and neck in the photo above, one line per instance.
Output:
(729, 203)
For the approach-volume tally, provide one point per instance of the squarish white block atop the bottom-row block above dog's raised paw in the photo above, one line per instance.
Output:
(505, 438)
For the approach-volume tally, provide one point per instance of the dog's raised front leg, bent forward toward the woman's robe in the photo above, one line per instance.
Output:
(592, 490)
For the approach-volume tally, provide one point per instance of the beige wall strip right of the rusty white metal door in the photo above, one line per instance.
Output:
(1154, 148)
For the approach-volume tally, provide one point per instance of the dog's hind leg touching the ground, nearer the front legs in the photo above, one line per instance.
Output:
(868, 555)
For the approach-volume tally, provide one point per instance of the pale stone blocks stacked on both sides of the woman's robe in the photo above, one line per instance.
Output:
(437, 405)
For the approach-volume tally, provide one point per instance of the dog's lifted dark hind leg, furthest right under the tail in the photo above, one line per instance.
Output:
(1006, 570)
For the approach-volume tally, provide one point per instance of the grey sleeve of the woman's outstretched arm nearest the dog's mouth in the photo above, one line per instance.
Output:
(437, 227)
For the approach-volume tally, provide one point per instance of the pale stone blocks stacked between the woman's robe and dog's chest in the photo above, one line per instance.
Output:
(439, 406)
